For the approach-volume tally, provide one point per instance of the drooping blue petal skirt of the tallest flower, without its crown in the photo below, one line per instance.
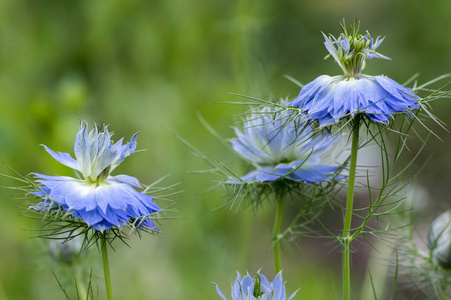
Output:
(378, 97)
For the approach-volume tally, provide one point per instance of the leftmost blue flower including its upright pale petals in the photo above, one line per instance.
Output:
(99, 199)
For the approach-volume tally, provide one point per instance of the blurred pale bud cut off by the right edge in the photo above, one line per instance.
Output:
(439, 240)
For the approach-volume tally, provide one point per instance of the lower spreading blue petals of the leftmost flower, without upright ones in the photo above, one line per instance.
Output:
(99, 205)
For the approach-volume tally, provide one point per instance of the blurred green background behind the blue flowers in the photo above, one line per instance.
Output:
(149, 65)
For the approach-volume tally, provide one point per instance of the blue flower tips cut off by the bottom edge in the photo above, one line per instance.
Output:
(259, 287)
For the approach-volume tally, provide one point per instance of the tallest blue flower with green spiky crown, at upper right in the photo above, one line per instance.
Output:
(330, 99)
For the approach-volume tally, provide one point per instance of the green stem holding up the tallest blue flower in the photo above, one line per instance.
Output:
(348, 214)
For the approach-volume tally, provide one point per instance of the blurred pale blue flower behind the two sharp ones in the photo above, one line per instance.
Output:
(282, 147)
